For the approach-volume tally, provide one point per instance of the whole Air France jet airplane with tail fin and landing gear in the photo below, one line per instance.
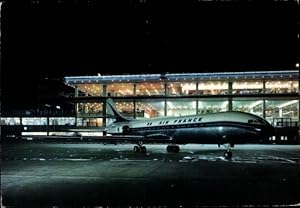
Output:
(223, 128)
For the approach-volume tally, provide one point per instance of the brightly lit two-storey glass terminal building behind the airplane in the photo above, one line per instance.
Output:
(269, 94)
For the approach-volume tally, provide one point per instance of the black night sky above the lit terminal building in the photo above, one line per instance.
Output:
(80, 38)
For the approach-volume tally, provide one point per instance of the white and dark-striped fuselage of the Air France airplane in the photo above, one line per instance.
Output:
(216, 128)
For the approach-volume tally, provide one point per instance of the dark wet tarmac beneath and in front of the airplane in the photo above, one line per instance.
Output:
(84, 174)
